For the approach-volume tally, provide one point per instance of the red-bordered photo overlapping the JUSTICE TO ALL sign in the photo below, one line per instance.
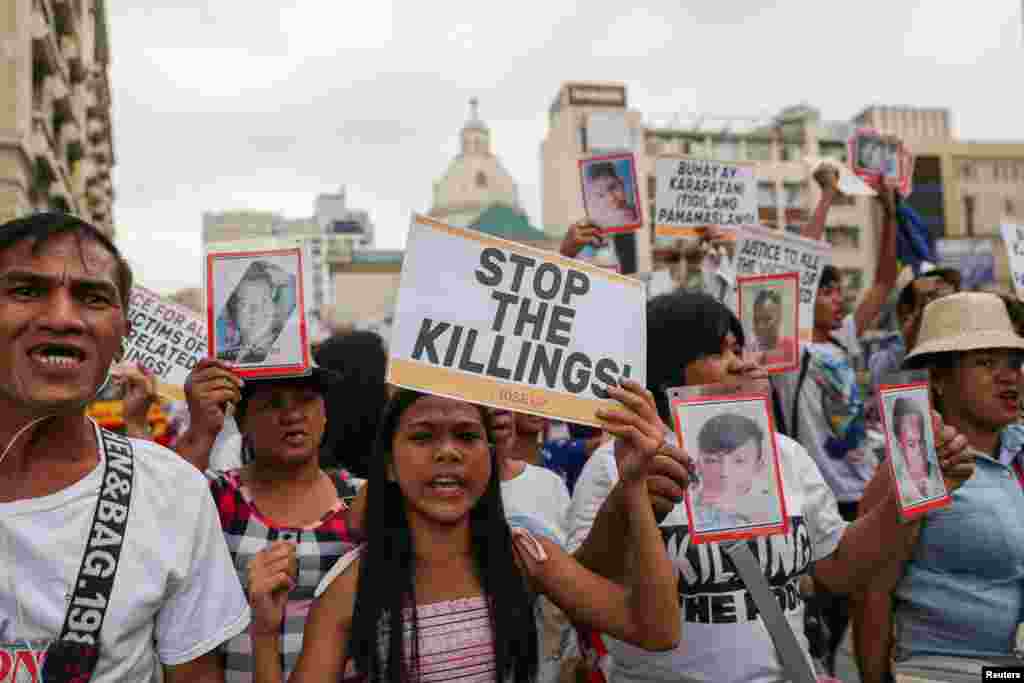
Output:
(770, 312)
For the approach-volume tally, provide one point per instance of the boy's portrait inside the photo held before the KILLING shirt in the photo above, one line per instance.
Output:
(736, 471)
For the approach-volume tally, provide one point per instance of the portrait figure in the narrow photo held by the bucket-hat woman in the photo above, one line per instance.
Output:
(917, 472)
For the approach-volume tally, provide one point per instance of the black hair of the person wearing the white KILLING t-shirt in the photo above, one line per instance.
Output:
(684, 327)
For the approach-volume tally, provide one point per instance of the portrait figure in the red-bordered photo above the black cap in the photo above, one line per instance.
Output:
(255, 314)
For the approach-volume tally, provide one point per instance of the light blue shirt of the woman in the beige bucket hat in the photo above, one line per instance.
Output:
(963, 594)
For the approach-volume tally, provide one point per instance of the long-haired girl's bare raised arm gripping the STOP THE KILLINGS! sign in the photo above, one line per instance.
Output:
(646, 613)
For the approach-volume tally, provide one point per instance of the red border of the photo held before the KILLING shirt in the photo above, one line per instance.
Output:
(767, 423)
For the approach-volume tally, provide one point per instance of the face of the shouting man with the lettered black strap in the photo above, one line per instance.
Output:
(62, 323)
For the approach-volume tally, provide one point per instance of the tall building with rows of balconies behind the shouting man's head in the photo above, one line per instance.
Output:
(57, 148)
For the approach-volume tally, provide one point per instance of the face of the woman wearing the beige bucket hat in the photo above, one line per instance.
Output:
(984, 389)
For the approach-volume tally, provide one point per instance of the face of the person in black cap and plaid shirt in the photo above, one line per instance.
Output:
(285, 423)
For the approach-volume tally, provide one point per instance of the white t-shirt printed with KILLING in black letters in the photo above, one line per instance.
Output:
(723, 639)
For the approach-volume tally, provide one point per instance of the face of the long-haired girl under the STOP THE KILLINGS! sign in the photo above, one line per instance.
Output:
(441, 459)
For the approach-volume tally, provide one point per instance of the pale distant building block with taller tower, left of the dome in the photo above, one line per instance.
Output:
(335, 234)
